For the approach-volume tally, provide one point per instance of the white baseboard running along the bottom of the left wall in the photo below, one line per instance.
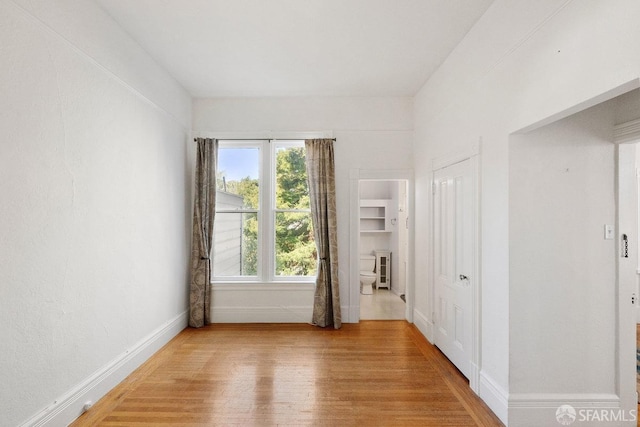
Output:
(70, 406)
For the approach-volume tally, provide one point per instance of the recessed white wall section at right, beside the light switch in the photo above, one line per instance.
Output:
(561, 269)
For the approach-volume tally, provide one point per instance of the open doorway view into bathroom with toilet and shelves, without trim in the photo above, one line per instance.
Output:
(383, 249)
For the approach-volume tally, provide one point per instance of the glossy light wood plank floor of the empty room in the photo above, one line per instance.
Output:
(375, 373)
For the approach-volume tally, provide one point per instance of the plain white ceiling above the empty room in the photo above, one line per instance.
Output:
(298, 47)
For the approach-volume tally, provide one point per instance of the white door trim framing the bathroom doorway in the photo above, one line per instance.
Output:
(355, 175)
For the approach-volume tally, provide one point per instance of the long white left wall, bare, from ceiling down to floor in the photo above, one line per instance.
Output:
(95, 216)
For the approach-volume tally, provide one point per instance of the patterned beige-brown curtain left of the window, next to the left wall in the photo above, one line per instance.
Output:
(202, 236)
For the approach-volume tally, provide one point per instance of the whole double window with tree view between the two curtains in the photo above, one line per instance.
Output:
(263, 230)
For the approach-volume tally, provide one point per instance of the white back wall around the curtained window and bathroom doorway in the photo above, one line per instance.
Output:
(371, 133)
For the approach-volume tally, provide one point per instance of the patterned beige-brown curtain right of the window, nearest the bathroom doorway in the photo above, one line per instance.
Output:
(322, 192)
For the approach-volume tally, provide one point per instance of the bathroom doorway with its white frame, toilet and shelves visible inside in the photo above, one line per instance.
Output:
(385, 234)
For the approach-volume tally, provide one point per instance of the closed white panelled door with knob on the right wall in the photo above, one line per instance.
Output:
(454, 213)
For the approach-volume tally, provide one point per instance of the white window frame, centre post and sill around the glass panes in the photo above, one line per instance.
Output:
(266, 212)
